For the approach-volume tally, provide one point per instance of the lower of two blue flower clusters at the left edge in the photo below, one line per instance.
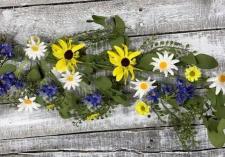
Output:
(7, 81)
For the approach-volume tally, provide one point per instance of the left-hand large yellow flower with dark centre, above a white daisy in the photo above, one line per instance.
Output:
(67, 53)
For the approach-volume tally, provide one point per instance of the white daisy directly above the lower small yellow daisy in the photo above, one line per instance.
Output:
(142, 87)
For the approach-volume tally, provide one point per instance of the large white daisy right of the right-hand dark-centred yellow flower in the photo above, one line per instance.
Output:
(165, 63)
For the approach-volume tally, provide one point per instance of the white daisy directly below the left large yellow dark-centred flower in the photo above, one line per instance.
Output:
(71, 81)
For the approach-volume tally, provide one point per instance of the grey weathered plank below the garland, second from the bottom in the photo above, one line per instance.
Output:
(159, 139)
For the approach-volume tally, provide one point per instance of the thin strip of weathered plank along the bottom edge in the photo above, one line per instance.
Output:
(202, 153)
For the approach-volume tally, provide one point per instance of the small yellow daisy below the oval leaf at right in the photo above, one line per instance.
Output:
(193, 73)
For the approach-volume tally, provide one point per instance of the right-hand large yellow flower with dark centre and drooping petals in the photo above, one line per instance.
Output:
(124, 61)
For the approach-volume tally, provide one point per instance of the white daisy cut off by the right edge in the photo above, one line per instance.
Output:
(218, 82)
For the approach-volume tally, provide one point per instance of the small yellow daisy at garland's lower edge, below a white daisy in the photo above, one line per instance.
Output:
(142, 108)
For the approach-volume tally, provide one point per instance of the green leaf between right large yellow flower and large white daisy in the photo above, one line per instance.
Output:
(144, 62)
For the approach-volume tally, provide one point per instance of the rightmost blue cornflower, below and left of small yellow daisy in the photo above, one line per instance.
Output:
(184, 91)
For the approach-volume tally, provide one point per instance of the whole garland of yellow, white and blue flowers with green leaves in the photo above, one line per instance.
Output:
(166, 77)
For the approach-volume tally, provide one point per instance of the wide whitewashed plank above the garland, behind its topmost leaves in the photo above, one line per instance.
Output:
(142, 17)
